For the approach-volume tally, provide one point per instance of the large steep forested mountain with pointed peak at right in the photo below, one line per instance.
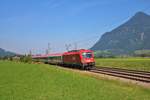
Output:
(128, 37)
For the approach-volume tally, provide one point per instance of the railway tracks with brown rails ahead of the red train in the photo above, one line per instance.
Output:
(143, 76)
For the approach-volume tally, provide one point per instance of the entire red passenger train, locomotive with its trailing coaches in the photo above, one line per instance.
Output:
(82, 58)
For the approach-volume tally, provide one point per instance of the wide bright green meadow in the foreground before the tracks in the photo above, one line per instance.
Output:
(19, 81)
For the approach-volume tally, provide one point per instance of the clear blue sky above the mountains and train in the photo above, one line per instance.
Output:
(32, 24)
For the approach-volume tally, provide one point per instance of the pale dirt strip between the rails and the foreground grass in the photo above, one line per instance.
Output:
(108, 77)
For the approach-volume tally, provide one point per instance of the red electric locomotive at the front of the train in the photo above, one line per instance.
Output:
(81, 58)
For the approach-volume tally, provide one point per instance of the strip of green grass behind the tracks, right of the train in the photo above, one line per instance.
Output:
(130, 63)
